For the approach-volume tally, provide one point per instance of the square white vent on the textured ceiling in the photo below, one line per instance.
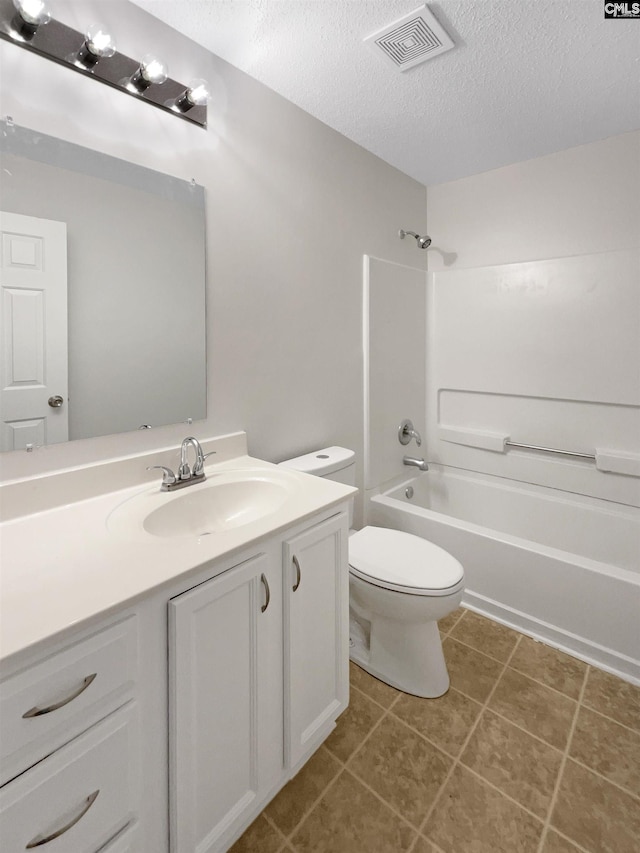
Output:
(411, 39)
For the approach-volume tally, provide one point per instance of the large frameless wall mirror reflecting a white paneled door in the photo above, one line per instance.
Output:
(103, 293)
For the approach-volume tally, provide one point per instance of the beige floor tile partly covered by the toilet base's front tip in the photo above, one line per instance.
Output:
(446, 721)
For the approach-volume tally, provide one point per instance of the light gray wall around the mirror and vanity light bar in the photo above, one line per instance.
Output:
(291, 208)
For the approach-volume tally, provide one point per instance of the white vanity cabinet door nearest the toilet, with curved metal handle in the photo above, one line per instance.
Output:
(316, 636)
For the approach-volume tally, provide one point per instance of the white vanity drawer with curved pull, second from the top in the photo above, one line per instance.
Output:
(81, 796)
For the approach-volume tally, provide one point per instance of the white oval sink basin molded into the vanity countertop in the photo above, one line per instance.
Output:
(221, 503)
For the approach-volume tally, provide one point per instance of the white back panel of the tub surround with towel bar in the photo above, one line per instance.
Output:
(545, 353)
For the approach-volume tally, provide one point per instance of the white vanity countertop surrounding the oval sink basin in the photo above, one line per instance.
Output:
(64, 566)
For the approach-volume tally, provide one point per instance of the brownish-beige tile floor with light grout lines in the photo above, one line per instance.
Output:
(530, 751)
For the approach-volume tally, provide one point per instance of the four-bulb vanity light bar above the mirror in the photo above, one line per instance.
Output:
(94, 54)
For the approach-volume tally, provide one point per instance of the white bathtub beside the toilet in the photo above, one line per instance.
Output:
(559, 567)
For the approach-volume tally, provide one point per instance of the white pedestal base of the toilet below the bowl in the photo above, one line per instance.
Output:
(417, 668)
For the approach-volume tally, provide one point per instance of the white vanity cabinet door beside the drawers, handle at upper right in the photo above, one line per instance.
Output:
(225, 702)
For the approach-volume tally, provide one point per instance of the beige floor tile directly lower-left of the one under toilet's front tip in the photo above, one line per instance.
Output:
(402, 768)
